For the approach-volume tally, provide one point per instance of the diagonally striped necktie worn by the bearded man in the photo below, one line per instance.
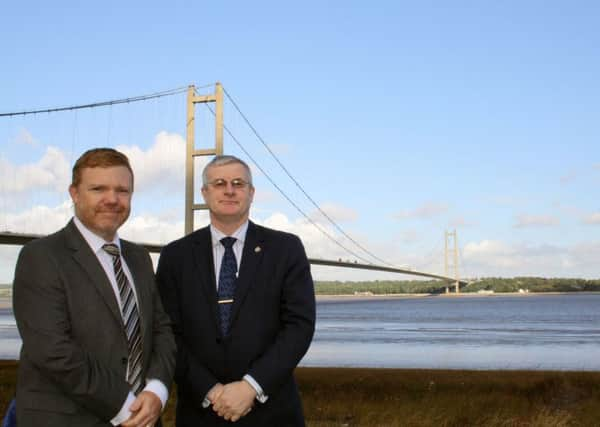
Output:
(131, 320)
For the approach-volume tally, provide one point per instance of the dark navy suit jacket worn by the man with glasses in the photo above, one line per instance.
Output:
(272, 323)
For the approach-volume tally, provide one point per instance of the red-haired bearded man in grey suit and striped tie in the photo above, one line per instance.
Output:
(97, 346)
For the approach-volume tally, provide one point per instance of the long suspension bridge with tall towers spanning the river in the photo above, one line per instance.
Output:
(216, 99)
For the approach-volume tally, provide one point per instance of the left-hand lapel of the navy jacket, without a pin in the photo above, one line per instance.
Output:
(204, 273)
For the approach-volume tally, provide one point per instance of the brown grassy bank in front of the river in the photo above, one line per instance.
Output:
(404, 397)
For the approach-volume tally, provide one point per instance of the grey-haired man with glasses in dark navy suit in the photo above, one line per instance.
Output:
(242, 303)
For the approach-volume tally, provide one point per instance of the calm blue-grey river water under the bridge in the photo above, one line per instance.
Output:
(556, 332)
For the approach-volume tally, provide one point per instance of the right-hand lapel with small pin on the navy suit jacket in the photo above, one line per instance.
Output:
(251, 258)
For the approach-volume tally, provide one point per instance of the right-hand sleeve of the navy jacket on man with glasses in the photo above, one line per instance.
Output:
(297, 322)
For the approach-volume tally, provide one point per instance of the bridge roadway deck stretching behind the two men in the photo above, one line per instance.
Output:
(8, 238)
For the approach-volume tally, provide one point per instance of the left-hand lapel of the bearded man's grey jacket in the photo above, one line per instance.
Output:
(87, 260)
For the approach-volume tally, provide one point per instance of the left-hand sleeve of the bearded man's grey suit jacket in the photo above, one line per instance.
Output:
(40, 306)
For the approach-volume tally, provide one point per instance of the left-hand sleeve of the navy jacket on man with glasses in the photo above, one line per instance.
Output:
(191, 376)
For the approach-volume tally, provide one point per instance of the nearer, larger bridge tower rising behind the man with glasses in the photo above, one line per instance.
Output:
(192, 152)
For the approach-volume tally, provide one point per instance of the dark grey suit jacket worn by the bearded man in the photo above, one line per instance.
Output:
(73, 360)
